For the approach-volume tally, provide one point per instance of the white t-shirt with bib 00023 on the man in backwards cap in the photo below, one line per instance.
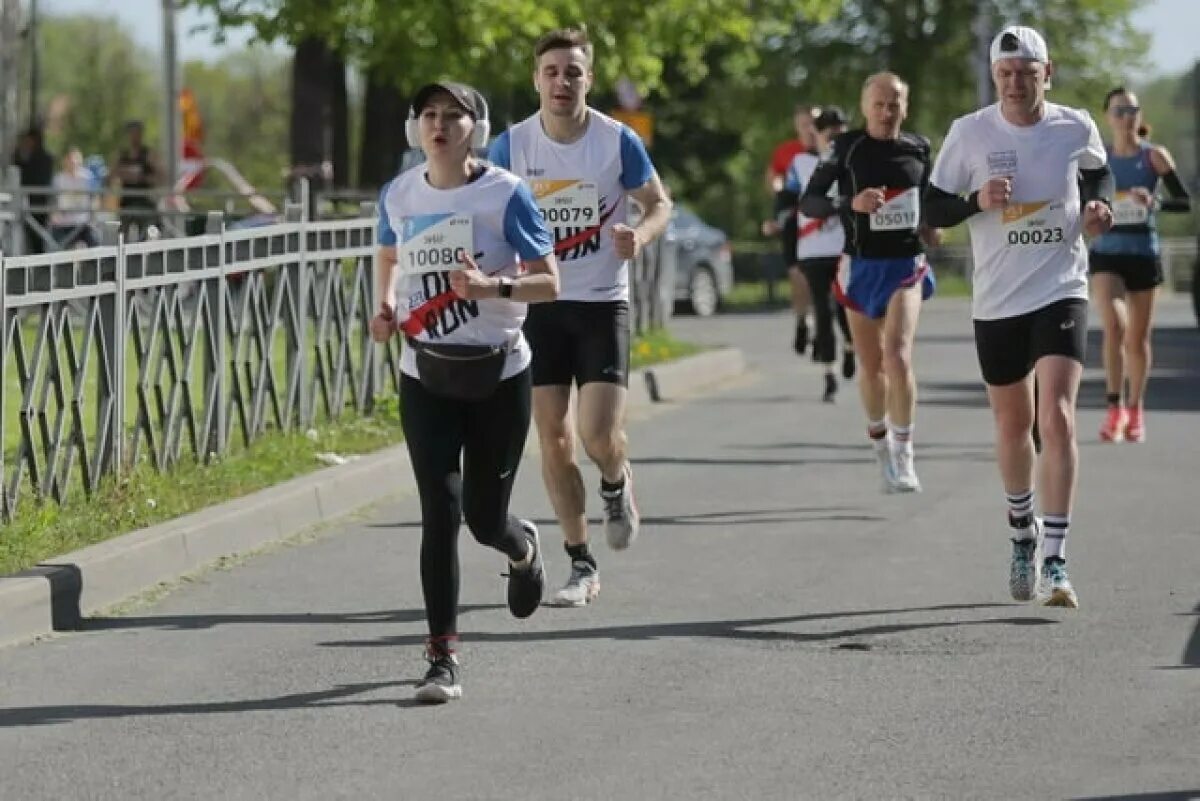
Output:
(1031, 254)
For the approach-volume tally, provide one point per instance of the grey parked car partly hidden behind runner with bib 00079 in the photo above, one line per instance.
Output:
(704, 263)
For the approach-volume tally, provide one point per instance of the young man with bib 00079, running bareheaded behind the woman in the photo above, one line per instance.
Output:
(583, 166)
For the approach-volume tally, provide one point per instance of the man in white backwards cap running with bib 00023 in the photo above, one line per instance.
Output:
(1035, 179)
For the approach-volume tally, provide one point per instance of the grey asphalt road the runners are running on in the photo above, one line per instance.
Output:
(781, 631)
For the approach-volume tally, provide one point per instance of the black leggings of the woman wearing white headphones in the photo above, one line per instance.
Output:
(465, 457)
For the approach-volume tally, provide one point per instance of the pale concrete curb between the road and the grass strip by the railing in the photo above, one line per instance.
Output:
(59, 595)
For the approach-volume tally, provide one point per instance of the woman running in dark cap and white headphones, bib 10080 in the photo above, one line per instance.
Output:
(463, 251)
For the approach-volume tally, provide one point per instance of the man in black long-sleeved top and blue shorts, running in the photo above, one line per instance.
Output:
(881, 173)
